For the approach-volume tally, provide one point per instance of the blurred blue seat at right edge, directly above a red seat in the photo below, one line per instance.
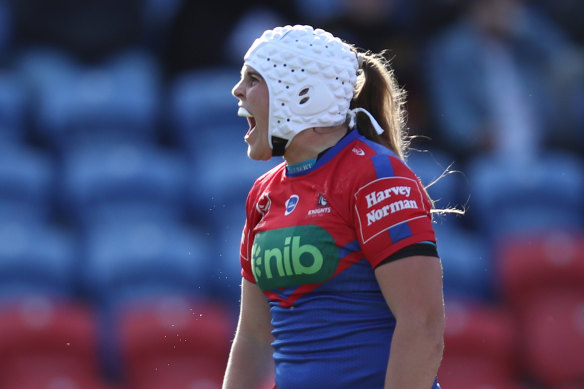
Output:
(514, 199)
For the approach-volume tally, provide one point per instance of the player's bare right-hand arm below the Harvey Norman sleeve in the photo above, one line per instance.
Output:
(418, 306)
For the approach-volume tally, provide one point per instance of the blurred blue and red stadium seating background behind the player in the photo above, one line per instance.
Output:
(123, 178)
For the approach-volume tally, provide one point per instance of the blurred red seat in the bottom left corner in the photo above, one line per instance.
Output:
(44, 340)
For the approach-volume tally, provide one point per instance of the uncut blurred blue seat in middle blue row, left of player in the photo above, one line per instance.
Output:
(123, 181)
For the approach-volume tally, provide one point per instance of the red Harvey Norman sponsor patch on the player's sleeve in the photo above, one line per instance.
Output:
(387, 202)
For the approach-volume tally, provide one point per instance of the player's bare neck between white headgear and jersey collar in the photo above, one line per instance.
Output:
(311, 142)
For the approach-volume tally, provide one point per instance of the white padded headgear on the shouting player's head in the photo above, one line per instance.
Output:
(310, 76)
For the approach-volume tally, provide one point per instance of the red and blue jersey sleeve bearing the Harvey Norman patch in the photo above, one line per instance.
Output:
(391, 209)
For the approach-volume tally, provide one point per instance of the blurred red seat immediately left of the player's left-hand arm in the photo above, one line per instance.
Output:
(177, 344)
